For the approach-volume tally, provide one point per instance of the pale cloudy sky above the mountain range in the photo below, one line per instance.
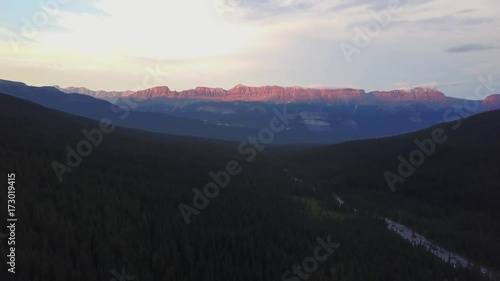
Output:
(367, 44)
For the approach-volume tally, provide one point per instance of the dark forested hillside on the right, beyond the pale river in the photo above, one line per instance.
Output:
(450, 195)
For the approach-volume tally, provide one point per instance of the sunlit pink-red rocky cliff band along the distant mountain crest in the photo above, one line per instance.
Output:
(274, 94)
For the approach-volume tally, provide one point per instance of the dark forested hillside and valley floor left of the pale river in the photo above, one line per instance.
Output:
(117, 212)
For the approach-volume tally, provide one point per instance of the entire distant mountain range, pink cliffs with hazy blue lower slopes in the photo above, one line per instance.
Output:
(320, 115)
